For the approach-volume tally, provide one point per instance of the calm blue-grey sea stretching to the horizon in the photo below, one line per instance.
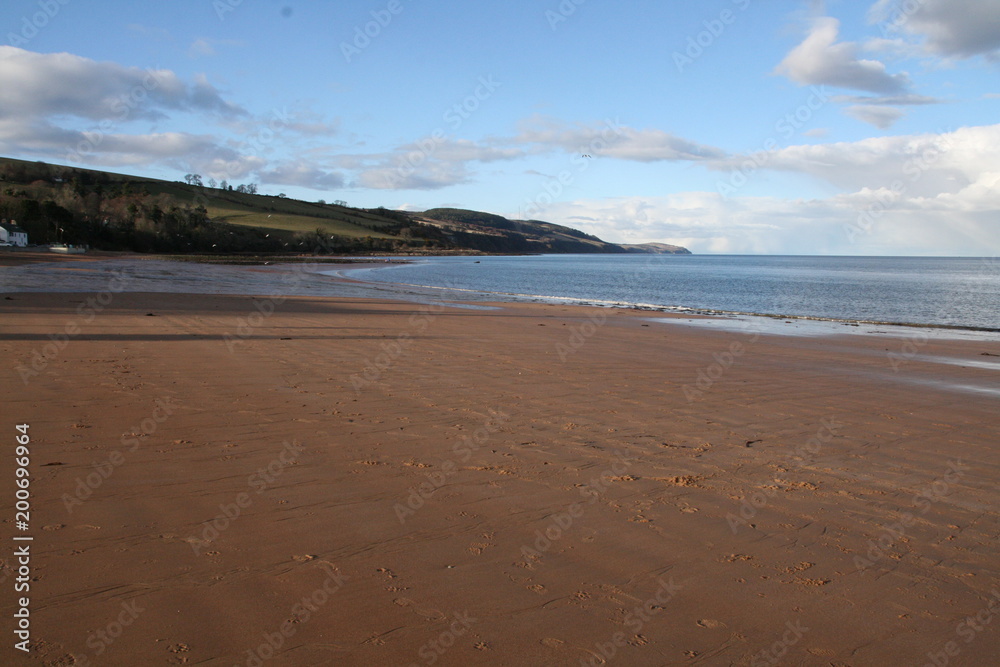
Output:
(950, 292)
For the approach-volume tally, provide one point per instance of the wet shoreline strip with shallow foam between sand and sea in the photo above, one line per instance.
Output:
(308, 276)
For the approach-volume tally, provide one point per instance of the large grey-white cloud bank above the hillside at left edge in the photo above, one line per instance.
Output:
(72, 109)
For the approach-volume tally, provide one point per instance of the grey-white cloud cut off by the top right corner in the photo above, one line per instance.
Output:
(949, 28)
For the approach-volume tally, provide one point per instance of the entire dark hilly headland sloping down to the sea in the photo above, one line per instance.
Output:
(120, 212)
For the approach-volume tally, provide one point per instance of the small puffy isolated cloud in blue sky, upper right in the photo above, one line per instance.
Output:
(820, 59)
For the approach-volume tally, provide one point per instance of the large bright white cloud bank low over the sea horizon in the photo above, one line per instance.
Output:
(921, 194)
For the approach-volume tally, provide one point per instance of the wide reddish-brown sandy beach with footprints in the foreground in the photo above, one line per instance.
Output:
(315, 480)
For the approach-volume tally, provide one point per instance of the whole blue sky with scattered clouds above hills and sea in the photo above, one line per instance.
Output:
(736, 126)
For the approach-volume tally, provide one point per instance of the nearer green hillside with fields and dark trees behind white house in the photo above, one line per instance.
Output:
(122, 212)
